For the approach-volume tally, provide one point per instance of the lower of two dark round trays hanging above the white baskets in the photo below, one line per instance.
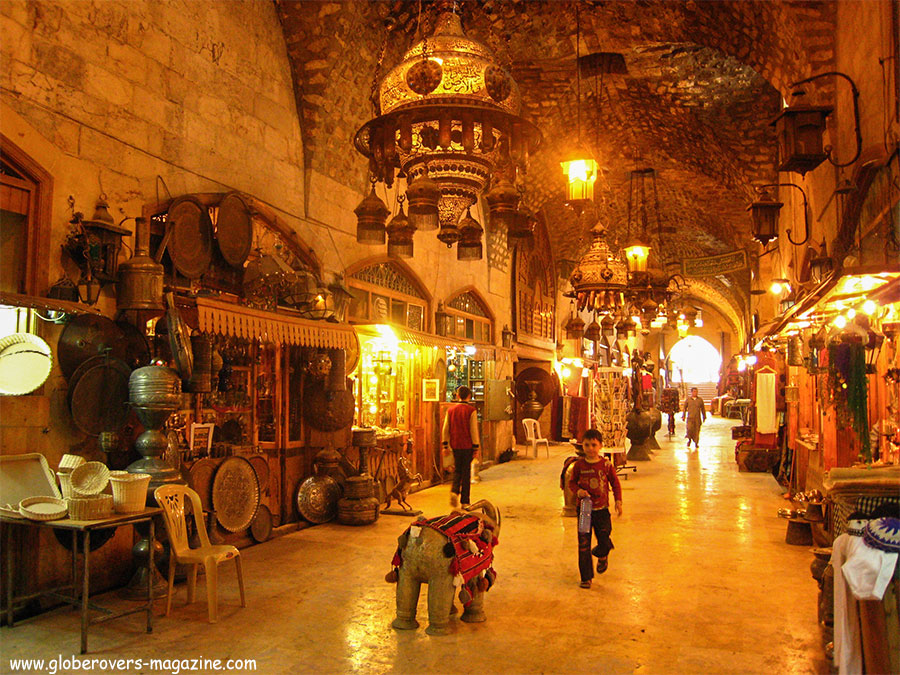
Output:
(98, 395)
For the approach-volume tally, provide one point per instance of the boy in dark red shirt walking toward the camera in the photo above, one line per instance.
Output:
(591, 477)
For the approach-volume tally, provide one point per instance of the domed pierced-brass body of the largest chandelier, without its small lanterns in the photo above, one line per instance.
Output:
(450, 110)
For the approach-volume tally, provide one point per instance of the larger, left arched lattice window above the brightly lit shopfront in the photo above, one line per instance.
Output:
(385, 293)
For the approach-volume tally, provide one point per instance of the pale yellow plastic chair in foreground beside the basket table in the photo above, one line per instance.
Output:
(171, 498)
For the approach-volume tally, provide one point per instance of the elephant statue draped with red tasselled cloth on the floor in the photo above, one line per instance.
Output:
(446, 552)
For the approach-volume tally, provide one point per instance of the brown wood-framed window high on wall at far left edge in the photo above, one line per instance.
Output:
(24, 221)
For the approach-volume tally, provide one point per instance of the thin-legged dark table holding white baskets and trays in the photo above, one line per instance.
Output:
(84, 527)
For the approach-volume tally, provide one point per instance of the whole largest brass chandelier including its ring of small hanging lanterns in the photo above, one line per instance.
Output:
(447, 116)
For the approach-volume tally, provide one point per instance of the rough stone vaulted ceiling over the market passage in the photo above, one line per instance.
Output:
(703, 81)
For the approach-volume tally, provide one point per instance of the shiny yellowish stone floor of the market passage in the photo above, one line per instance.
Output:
(700, 581)
